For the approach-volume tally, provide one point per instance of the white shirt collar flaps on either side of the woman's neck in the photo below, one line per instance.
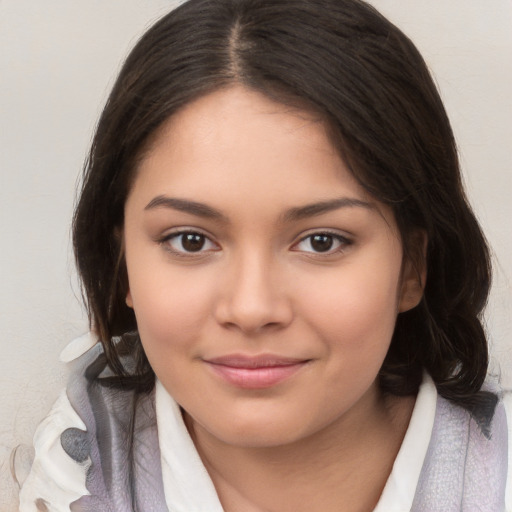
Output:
(188, 487)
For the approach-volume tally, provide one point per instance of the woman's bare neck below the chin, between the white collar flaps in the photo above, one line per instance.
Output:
(344, 465)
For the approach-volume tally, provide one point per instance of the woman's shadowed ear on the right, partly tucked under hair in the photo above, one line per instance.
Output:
(414, 272)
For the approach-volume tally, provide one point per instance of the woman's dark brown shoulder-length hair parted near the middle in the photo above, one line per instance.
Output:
(366, 79)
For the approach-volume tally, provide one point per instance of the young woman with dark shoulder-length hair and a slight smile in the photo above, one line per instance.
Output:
(284, 277)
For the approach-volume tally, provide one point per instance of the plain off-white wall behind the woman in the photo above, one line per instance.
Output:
(58, 59)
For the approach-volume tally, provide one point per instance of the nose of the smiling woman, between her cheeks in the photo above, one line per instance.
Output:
(253, 297)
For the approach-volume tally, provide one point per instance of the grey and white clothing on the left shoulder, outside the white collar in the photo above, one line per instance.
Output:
(98, 446)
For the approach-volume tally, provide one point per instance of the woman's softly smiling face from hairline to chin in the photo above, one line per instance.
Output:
(265, 281)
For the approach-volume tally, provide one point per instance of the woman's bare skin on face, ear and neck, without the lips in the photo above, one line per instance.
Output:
(258, 285)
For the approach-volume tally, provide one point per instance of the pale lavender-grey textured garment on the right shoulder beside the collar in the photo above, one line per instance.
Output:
(466, 463)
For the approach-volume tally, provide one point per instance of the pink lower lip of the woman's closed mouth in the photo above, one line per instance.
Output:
(256, 378)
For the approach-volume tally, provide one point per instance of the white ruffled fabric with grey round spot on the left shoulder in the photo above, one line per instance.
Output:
(62, 441)
